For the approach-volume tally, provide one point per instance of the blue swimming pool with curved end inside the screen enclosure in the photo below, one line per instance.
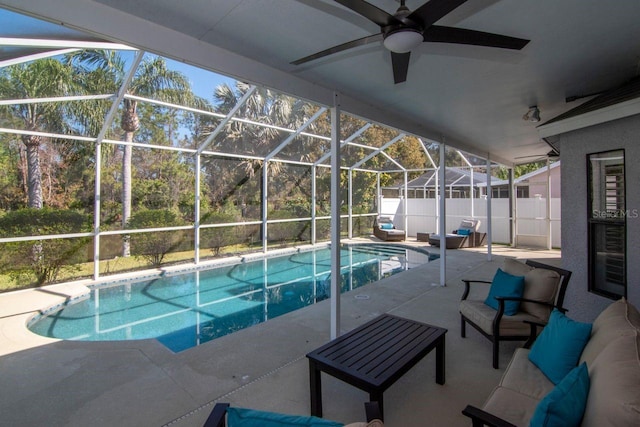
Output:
(188, 309)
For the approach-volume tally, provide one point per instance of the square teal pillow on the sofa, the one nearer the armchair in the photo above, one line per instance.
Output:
(559, 346)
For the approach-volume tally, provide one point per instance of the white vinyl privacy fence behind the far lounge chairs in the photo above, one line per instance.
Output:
(532, 223)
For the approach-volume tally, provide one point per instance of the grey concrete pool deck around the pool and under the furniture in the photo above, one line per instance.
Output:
(142, 383)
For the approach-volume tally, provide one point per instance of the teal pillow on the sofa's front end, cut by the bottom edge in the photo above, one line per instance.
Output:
(564, 406)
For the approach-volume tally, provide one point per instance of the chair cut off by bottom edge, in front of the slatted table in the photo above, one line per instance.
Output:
(218, 418)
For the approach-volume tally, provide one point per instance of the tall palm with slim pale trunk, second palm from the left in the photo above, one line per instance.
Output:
(152, 79)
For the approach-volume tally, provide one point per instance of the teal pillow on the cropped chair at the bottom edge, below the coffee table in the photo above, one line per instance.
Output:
(242, 417)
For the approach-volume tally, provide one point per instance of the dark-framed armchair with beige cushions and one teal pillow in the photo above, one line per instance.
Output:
(514, 307)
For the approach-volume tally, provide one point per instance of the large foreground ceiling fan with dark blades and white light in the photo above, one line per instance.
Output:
(405, 30)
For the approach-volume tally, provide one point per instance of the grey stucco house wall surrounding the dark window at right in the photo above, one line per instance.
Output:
(574, 147)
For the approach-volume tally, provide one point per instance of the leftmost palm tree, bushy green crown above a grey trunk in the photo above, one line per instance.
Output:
(37, 79)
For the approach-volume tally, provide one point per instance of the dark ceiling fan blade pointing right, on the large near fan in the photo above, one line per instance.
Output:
(437, 33)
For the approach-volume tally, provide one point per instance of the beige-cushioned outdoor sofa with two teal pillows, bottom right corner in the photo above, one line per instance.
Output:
(612, 390)
